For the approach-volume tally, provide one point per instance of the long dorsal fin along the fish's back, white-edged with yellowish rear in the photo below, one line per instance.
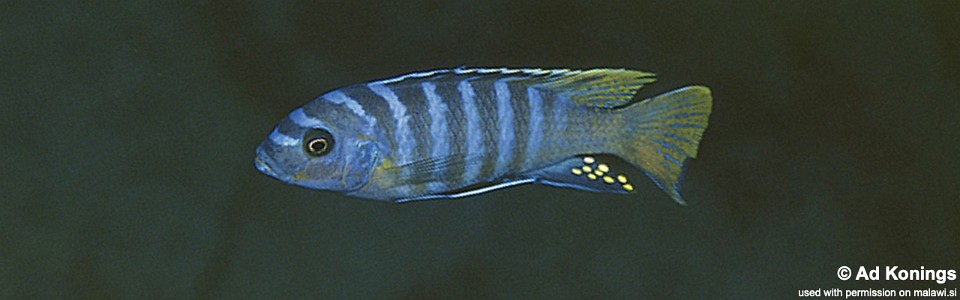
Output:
(606, 88)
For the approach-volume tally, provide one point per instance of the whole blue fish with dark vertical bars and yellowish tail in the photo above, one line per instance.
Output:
(459, 132)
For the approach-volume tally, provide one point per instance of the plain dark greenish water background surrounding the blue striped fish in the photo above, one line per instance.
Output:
(128, 132)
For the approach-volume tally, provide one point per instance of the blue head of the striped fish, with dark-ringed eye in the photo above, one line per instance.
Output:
(320, 146)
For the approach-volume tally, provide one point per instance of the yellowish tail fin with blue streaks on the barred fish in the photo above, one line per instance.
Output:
(663, 132)
